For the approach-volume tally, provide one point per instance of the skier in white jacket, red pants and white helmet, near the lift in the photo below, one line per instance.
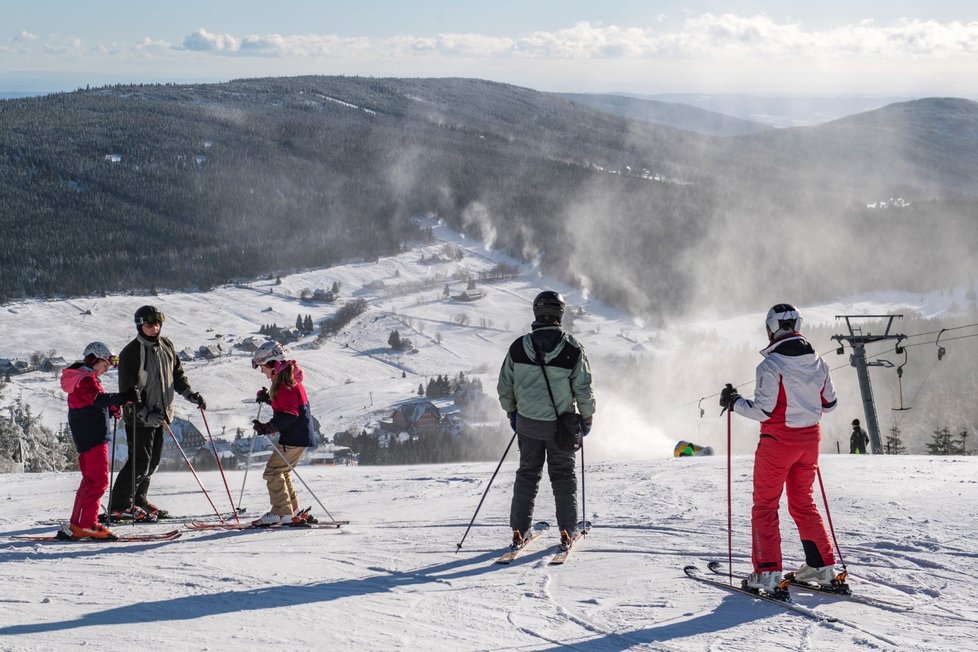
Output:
(793, 390)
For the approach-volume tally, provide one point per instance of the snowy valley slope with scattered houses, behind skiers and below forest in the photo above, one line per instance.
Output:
(354, 377)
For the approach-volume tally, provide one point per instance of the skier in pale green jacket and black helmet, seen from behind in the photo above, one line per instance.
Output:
(523, 395)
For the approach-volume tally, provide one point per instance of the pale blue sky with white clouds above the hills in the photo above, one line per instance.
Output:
(830, 47)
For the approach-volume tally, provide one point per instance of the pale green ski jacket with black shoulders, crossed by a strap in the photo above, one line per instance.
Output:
(521, 386)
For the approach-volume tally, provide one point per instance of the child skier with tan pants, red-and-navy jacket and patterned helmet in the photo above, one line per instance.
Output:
(292, 419)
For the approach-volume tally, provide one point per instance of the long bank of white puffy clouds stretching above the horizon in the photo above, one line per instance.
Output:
(706, 36)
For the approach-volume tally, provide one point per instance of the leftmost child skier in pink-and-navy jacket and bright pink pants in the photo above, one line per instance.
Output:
(88, 419)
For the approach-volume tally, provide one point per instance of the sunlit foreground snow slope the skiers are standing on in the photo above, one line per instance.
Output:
(392, 578)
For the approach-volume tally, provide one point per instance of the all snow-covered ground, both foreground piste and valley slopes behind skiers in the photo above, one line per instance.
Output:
(392, 579)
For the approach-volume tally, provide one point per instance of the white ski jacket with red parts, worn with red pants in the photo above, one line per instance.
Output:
(793, 390)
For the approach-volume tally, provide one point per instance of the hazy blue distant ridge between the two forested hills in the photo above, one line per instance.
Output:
(669, 114)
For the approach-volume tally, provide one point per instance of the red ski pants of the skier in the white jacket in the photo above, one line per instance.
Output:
(778, 465)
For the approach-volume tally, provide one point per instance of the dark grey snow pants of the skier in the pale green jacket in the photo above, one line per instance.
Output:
(563, 482)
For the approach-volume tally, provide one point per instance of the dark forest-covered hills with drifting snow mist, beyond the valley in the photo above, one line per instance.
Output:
(125, 187)
